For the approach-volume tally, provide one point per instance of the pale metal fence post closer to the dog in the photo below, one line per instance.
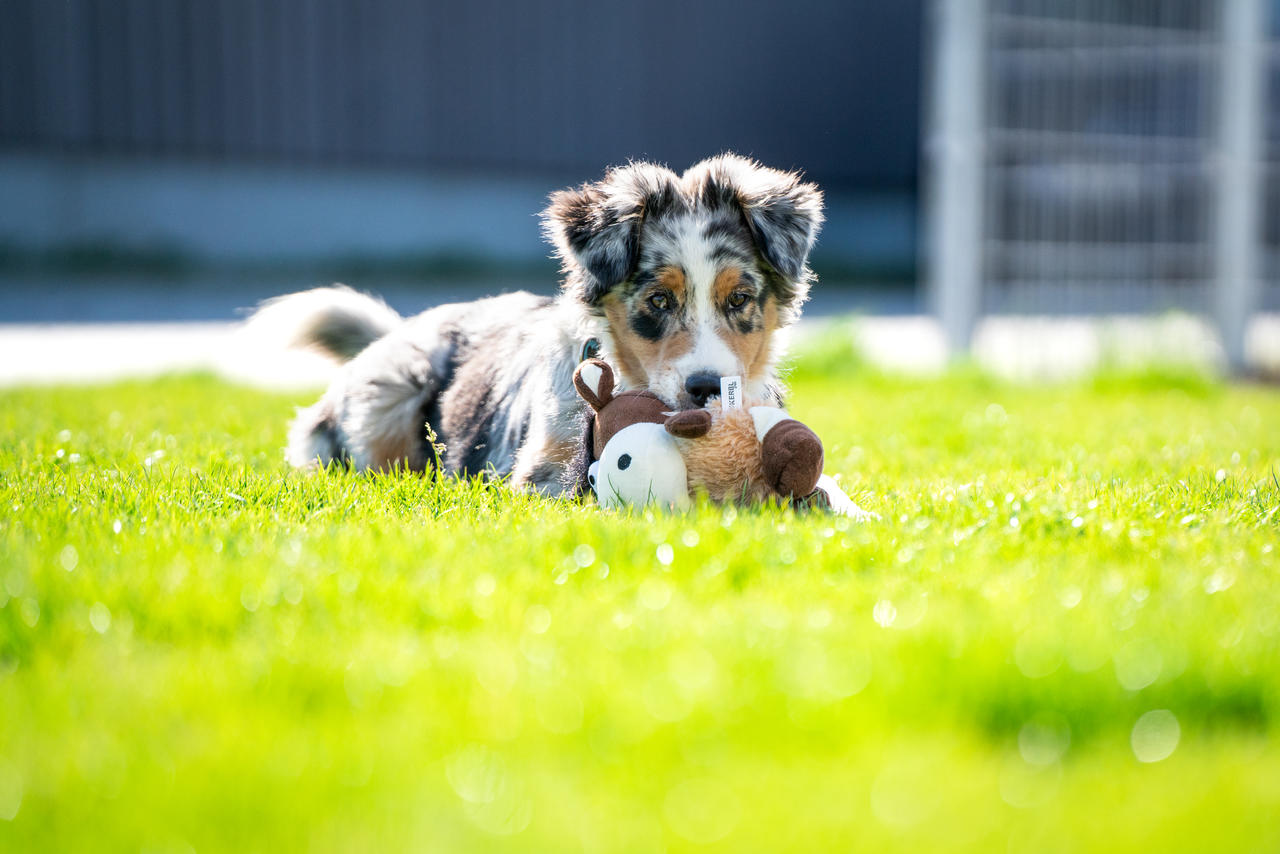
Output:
(956, 167)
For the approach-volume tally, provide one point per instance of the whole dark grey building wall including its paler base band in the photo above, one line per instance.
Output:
(307, 130)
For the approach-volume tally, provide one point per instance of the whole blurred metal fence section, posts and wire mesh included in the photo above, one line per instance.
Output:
(1104, 157)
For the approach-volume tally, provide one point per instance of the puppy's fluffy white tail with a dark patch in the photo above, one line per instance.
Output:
(337, 321)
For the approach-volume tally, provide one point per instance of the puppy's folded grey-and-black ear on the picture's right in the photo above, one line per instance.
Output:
(783, 212)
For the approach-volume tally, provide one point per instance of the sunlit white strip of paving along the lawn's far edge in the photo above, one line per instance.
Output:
(1016, 348)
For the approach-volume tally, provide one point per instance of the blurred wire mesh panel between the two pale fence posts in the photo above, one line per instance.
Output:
(1099, 175)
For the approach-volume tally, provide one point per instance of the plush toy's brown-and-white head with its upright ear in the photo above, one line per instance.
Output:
(636, 459)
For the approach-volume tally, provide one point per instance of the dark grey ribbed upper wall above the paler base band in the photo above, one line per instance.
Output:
(563, 86)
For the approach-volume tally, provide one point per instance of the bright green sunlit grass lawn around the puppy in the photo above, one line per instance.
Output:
(1062, 634)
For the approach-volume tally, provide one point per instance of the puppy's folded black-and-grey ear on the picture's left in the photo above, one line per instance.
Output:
(596, 229)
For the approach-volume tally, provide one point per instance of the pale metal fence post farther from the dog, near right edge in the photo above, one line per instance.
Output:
(1240, 189)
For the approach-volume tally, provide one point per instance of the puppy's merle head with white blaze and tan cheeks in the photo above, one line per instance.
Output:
(693, 273)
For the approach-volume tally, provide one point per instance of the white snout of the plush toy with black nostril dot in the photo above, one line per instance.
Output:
(641, 465)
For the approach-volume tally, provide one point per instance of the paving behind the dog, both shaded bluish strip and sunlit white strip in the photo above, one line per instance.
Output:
(97, 330)
